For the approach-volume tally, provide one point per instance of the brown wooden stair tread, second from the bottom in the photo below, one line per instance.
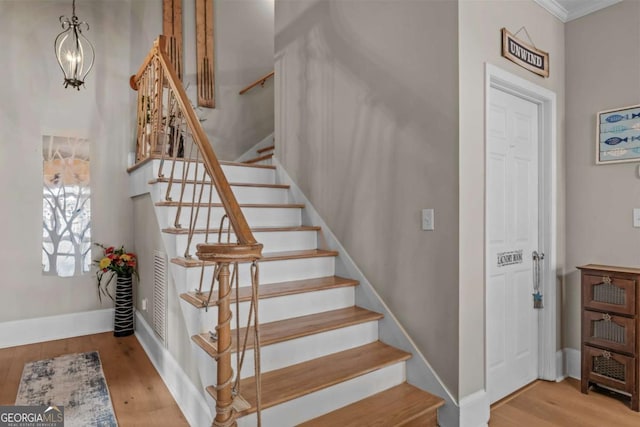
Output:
(294, 381)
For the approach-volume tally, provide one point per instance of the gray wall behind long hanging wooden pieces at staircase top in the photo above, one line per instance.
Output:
(243, 33)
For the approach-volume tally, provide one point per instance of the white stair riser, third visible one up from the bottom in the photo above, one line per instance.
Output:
(284, 307)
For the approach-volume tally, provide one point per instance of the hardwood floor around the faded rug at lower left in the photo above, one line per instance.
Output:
(139, 396)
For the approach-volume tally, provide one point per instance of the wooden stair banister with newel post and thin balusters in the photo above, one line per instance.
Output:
(168, 129)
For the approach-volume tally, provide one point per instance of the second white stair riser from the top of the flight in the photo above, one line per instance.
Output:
(243, 194)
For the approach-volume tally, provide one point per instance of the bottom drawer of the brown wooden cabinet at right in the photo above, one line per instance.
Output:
(608, 368)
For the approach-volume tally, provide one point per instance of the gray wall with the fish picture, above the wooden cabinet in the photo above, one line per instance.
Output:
(601, 75)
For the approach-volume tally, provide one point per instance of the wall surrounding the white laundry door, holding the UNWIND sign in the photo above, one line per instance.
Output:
(480, 42)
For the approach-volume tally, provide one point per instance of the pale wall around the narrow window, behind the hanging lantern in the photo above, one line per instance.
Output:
(34, 102)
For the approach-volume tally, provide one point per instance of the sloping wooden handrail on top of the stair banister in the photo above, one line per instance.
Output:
(212, 165)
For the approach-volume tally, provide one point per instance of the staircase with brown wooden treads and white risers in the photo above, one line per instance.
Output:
(321, 360)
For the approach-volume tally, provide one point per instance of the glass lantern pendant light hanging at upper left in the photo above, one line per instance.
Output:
(74, 51)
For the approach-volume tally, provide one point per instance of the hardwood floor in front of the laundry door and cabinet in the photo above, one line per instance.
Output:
(550, 404)
